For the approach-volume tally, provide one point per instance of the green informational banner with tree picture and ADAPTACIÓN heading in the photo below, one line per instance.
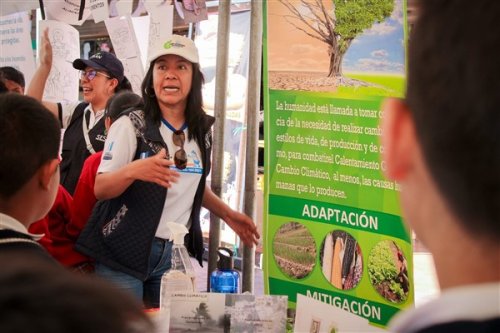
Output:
(332, 225)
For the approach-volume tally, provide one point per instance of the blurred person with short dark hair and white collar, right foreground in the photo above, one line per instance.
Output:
(442, 144)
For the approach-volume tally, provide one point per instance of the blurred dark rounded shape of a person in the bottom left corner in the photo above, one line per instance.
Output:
(36, 297)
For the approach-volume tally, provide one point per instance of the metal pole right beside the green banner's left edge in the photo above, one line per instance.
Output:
(253, 105)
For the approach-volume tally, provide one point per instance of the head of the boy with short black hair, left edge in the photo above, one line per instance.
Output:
(28, 153)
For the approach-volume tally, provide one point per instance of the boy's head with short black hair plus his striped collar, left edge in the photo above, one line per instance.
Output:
(29, 169)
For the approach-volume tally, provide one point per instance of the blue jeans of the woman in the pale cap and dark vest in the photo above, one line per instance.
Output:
(148, 290)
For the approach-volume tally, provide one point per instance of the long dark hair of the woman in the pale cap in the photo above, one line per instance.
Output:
(194, 113)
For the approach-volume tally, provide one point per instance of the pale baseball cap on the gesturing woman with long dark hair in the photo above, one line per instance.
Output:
(178, 45)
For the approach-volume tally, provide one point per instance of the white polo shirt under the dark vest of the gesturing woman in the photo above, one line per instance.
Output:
(120, 149)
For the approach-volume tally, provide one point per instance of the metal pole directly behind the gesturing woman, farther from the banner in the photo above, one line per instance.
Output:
(220, 119)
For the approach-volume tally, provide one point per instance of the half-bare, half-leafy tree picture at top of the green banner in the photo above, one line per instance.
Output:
(336, 46)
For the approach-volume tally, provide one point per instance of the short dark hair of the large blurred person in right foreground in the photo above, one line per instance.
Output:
(454, 102)
